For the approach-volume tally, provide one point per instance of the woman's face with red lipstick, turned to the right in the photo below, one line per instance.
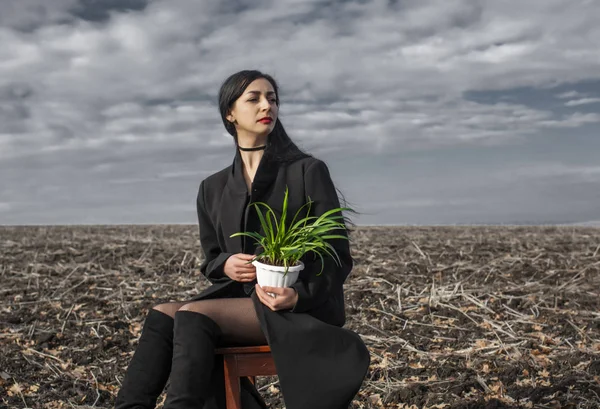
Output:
(257, 102)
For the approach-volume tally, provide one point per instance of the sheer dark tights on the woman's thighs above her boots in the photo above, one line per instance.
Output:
(235, 316)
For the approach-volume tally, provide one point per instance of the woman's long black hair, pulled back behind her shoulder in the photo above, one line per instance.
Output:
(280, 147)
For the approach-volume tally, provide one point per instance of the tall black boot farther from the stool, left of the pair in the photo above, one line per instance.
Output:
(150, 366)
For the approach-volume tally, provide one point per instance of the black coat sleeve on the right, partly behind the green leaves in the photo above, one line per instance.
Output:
(314, 290)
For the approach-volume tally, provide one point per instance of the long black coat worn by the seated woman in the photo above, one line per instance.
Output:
(319, 363)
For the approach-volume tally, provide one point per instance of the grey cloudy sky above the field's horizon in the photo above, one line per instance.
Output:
(426, 112)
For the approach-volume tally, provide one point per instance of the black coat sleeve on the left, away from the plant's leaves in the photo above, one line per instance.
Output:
(214, 258)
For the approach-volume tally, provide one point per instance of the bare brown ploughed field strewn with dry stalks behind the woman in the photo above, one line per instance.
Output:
(454, 317)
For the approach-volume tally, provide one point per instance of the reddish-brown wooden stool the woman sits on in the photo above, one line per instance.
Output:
(244, 361)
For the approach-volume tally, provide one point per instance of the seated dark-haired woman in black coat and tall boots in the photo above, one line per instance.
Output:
(320, 364)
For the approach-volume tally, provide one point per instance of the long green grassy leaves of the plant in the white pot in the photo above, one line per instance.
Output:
(284, 245)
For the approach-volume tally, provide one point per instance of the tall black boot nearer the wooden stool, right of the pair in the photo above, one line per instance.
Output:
(194, 343)
